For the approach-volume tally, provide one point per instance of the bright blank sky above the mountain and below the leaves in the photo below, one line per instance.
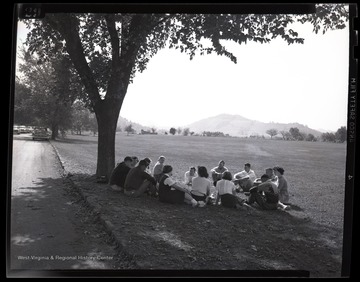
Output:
(305, 83)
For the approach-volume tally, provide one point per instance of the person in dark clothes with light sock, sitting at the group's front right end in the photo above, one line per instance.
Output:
(265, 195)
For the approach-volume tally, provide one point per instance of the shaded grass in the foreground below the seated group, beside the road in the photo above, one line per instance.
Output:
(165, 236)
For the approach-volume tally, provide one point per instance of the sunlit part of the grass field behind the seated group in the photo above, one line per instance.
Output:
(315, 170)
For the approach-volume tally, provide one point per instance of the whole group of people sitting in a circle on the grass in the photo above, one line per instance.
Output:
(134, 178)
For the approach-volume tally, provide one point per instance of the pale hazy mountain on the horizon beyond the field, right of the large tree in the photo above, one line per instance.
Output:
(236, 125)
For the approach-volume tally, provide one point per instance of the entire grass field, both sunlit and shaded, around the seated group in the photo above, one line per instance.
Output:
(307, 237)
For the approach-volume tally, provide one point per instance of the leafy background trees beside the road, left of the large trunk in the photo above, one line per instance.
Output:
(47, 95)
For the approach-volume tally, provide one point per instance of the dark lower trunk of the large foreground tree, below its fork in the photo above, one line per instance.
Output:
(107, 113)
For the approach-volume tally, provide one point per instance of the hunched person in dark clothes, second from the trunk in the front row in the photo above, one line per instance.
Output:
(138, 181)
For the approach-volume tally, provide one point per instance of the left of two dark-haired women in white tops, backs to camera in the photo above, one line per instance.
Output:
(201, 185)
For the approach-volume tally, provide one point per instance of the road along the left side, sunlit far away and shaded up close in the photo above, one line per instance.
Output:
(49, 229)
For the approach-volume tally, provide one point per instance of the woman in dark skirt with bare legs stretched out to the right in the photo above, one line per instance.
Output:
(173, 192)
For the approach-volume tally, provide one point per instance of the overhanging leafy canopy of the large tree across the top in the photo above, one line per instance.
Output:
(128, 41)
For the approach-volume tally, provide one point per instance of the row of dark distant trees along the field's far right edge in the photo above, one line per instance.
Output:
(295, 134)
